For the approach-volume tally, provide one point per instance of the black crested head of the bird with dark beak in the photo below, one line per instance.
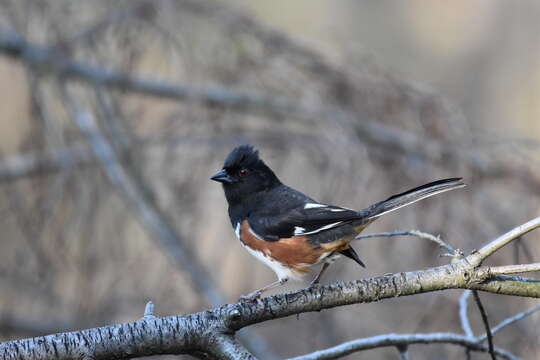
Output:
(244, 174)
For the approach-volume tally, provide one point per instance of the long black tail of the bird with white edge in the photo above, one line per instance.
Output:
(411, 196)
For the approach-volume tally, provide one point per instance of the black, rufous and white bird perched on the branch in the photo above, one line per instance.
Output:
(289, 231)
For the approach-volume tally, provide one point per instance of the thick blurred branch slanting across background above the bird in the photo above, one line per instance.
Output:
(47, 60)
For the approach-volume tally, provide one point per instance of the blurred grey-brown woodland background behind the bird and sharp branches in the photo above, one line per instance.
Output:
(348, 101)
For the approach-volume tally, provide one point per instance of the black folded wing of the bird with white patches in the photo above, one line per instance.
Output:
(308, 219)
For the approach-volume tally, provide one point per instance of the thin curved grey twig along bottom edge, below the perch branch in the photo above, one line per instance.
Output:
(401, 340)
